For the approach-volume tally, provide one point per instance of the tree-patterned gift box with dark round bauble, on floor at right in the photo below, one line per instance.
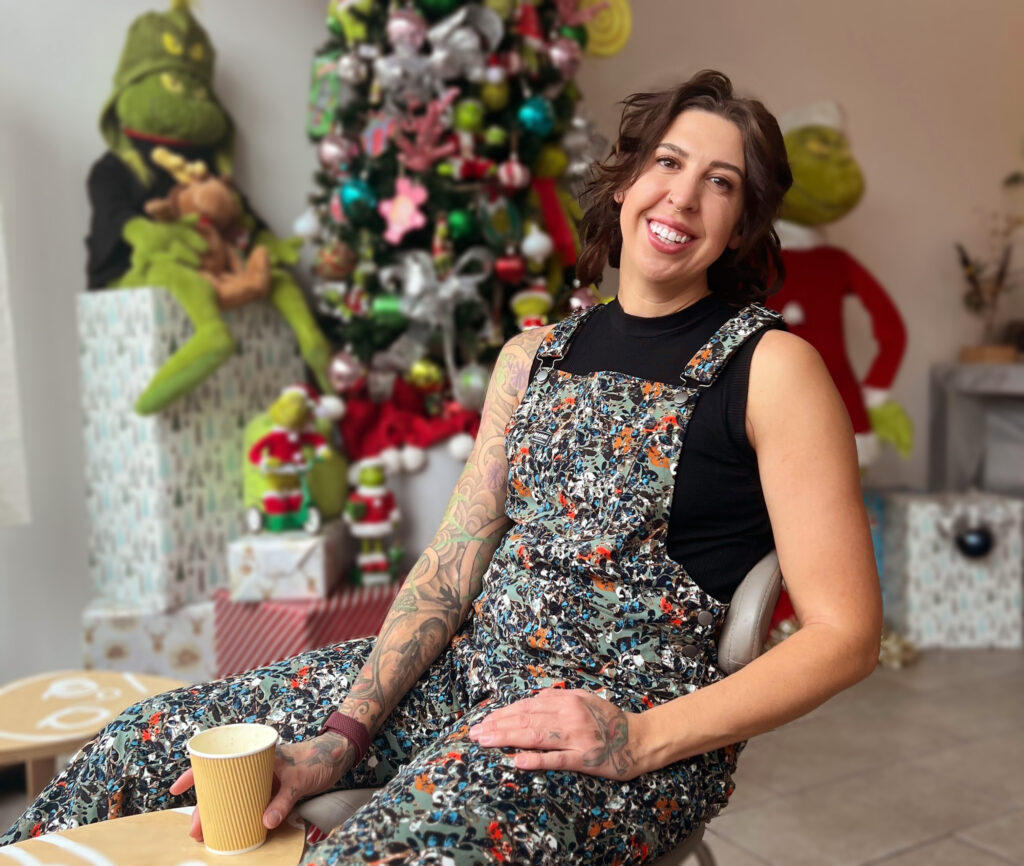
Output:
(955, 569)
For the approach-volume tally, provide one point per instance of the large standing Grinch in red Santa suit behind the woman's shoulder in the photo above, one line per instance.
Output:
(828, 185)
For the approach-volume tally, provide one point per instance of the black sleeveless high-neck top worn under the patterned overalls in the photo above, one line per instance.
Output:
(719, 526)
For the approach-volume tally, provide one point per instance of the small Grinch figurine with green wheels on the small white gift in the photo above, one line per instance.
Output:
(282, 458)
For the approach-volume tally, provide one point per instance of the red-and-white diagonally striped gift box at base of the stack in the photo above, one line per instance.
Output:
(249, 635)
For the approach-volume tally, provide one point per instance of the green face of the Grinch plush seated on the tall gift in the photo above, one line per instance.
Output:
(173, 105)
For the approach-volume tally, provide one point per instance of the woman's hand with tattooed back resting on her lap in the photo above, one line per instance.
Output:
(566, 730)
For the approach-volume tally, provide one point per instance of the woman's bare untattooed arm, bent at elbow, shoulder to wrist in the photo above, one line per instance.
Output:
(808, 464)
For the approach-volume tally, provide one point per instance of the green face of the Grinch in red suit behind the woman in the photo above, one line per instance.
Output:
(827, 181)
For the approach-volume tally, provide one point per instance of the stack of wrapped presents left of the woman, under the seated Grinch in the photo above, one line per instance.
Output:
(182, 588)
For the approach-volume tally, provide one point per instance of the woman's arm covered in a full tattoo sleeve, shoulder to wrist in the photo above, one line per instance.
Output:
(441, 588)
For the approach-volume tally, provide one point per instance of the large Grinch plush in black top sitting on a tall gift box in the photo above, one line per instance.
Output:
(163, 99)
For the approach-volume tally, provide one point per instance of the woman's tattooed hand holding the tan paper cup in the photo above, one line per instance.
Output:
(301, 770)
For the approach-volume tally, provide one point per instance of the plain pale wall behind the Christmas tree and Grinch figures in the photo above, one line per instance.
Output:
(930, 86)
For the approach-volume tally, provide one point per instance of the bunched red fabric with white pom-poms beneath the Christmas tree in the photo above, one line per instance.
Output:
(369, 428)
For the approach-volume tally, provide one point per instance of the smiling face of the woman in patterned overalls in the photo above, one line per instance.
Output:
(685, 209)
